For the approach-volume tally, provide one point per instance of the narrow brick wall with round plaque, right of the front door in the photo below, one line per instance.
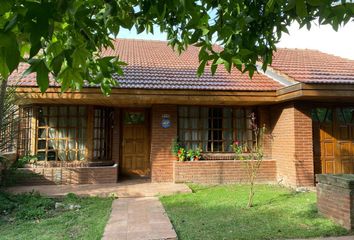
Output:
(161, 139)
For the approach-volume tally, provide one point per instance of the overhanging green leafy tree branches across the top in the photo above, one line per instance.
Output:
(65, 38)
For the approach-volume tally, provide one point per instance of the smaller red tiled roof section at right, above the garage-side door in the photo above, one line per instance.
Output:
(311, 66)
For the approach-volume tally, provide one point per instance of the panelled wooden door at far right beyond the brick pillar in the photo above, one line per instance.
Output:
(334, 148)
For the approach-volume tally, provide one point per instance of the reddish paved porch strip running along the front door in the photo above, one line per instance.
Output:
(125, 189)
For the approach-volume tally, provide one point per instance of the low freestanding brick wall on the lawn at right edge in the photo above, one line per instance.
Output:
(335, 199)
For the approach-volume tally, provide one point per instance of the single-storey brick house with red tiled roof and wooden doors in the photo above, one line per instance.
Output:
(305, 101)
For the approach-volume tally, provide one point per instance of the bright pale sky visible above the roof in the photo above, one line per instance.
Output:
(322, 38)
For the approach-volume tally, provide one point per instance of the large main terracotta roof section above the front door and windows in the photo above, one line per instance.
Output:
(154, 65)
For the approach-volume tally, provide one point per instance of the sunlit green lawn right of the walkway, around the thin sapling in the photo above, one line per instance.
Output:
(220, 213)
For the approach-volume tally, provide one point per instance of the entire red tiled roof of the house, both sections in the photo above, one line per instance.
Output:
(154, 65)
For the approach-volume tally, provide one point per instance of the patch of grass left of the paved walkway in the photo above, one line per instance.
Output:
(31, 216)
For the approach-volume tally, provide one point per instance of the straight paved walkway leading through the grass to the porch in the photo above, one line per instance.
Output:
(138, 218)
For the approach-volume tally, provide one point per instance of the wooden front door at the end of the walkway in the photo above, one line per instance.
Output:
(135, 160)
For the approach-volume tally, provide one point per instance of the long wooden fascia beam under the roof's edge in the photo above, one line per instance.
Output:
(147, 98)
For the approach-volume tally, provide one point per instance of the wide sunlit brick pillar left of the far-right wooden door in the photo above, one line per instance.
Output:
(292, 145)
